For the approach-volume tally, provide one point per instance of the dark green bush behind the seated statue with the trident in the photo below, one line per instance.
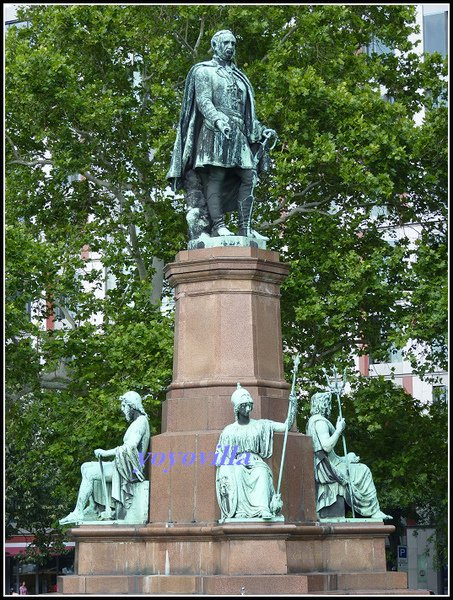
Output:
(381, 415)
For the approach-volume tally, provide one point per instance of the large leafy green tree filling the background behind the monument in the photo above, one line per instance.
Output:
(92, 97)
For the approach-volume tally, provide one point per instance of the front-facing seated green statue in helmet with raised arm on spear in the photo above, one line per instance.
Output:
(245, 487)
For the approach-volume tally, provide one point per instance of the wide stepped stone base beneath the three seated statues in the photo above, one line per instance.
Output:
(233, 559)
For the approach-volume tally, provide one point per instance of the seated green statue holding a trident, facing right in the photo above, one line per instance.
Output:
(338, 477)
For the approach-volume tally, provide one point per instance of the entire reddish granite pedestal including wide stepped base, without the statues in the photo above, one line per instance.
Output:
(227, 330)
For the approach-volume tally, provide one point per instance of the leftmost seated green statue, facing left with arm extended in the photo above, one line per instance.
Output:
(123, 471)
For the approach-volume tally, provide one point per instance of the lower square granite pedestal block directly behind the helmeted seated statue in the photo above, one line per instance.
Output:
(186, 493)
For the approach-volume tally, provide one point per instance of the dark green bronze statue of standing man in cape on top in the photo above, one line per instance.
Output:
(220, 146)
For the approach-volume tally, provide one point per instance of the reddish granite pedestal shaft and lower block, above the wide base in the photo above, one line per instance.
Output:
(227, 330)
